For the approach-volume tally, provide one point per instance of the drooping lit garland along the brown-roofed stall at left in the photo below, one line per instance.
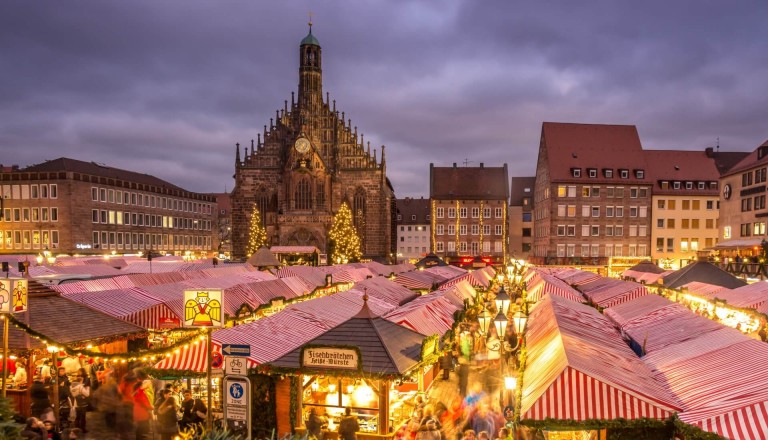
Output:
(147, 355)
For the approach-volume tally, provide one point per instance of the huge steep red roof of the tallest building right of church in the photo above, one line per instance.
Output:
(600, 146)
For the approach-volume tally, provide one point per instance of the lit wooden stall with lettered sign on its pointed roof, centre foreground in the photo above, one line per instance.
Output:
(358, 364)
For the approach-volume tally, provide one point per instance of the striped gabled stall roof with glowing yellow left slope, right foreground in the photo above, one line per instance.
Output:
(579, 368)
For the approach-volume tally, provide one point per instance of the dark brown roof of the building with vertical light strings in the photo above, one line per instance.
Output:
(480, 183)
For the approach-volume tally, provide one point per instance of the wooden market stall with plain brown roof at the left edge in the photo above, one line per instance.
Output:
(61, 331)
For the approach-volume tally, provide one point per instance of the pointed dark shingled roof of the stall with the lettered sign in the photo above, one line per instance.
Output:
(385, 347)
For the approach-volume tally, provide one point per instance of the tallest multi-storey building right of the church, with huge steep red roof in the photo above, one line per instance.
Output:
(592, 196)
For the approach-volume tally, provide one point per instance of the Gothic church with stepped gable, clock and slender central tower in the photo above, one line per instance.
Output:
(309, 160)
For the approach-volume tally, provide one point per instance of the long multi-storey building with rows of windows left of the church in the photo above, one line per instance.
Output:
(75, 207)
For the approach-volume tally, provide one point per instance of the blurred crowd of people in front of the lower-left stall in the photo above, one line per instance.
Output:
(131, 406)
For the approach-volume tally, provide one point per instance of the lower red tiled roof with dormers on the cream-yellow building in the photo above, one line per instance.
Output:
(682, 166)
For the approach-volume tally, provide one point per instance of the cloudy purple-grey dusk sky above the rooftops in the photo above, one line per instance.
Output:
(168, 87)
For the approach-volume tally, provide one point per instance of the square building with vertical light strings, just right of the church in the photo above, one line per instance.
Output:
(469, 213)
